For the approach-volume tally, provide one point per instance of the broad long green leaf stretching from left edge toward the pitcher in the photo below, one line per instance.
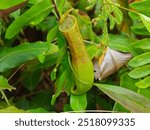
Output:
(13, 57)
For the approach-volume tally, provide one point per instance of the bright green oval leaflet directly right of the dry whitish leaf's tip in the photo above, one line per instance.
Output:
(140, 60)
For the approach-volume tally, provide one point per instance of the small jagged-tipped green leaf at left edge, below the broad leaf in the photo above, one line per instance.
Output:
(4, 84)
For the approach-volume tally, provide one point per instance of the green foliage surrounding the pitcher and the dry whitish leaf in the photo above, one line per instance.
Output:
(35, 71)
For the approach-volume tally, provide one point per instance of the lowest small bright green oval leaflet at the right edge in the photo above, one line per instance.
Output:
(145, 83)
